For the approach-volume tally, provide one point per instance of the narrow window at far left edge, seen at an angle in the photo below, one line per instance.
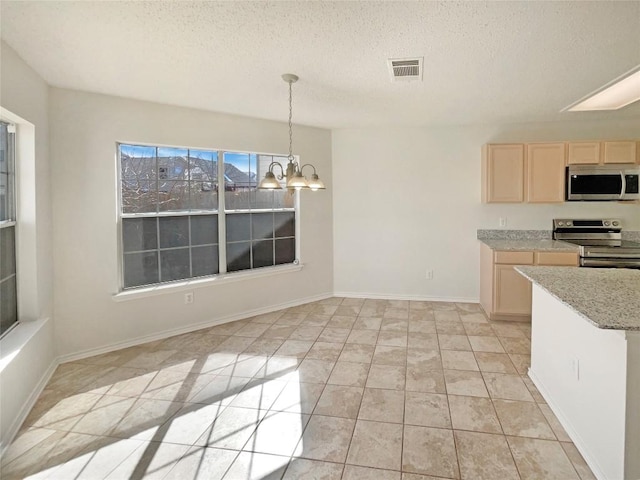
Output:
(8, 291)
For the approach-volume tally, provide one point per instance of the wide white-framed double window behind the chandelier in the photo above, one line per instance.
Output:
(176, 225)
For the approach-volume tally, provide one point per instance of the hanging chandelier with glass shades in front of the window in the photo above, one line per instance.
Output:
(293, 172)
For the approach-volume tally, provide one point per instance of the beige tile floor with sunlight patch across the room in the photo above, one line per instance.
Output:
(337, 389)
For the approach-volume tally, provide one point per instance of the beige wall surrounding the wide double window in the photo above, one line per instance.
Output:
(84, 130)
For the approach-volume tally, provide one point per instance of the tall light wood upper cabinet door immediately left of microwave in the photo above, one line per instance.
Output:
(545, 172)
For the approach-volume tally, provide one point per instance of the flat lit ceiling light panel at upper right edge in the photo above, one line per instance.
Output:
(619, 93)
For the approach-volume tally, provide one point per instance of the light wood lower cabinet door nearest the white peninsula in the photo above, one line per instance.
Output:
(512, 293)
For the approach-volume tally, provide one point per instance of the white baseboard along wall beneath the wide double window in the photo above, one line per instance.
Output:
(187, 329)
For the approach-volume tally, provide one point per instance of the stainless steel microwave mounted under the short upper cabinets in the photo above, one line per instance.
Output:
(603, 182)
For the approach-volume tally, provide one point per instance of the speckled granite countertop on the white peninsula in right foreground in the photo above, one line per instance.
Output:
(606, 297)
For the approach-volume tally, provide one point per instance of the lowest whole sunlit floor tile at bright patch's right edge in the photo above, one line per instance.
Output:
(278, 433)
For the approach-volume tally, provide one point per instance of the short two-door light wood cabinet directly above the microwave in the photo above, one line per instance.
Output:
(598, 153)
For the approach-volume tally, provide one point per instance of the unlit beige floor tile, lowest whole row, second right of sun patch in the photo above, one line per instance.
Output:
(376, 444)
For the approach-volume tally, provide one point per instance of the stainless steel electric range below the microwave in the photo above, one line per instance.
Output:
(600, 242)
